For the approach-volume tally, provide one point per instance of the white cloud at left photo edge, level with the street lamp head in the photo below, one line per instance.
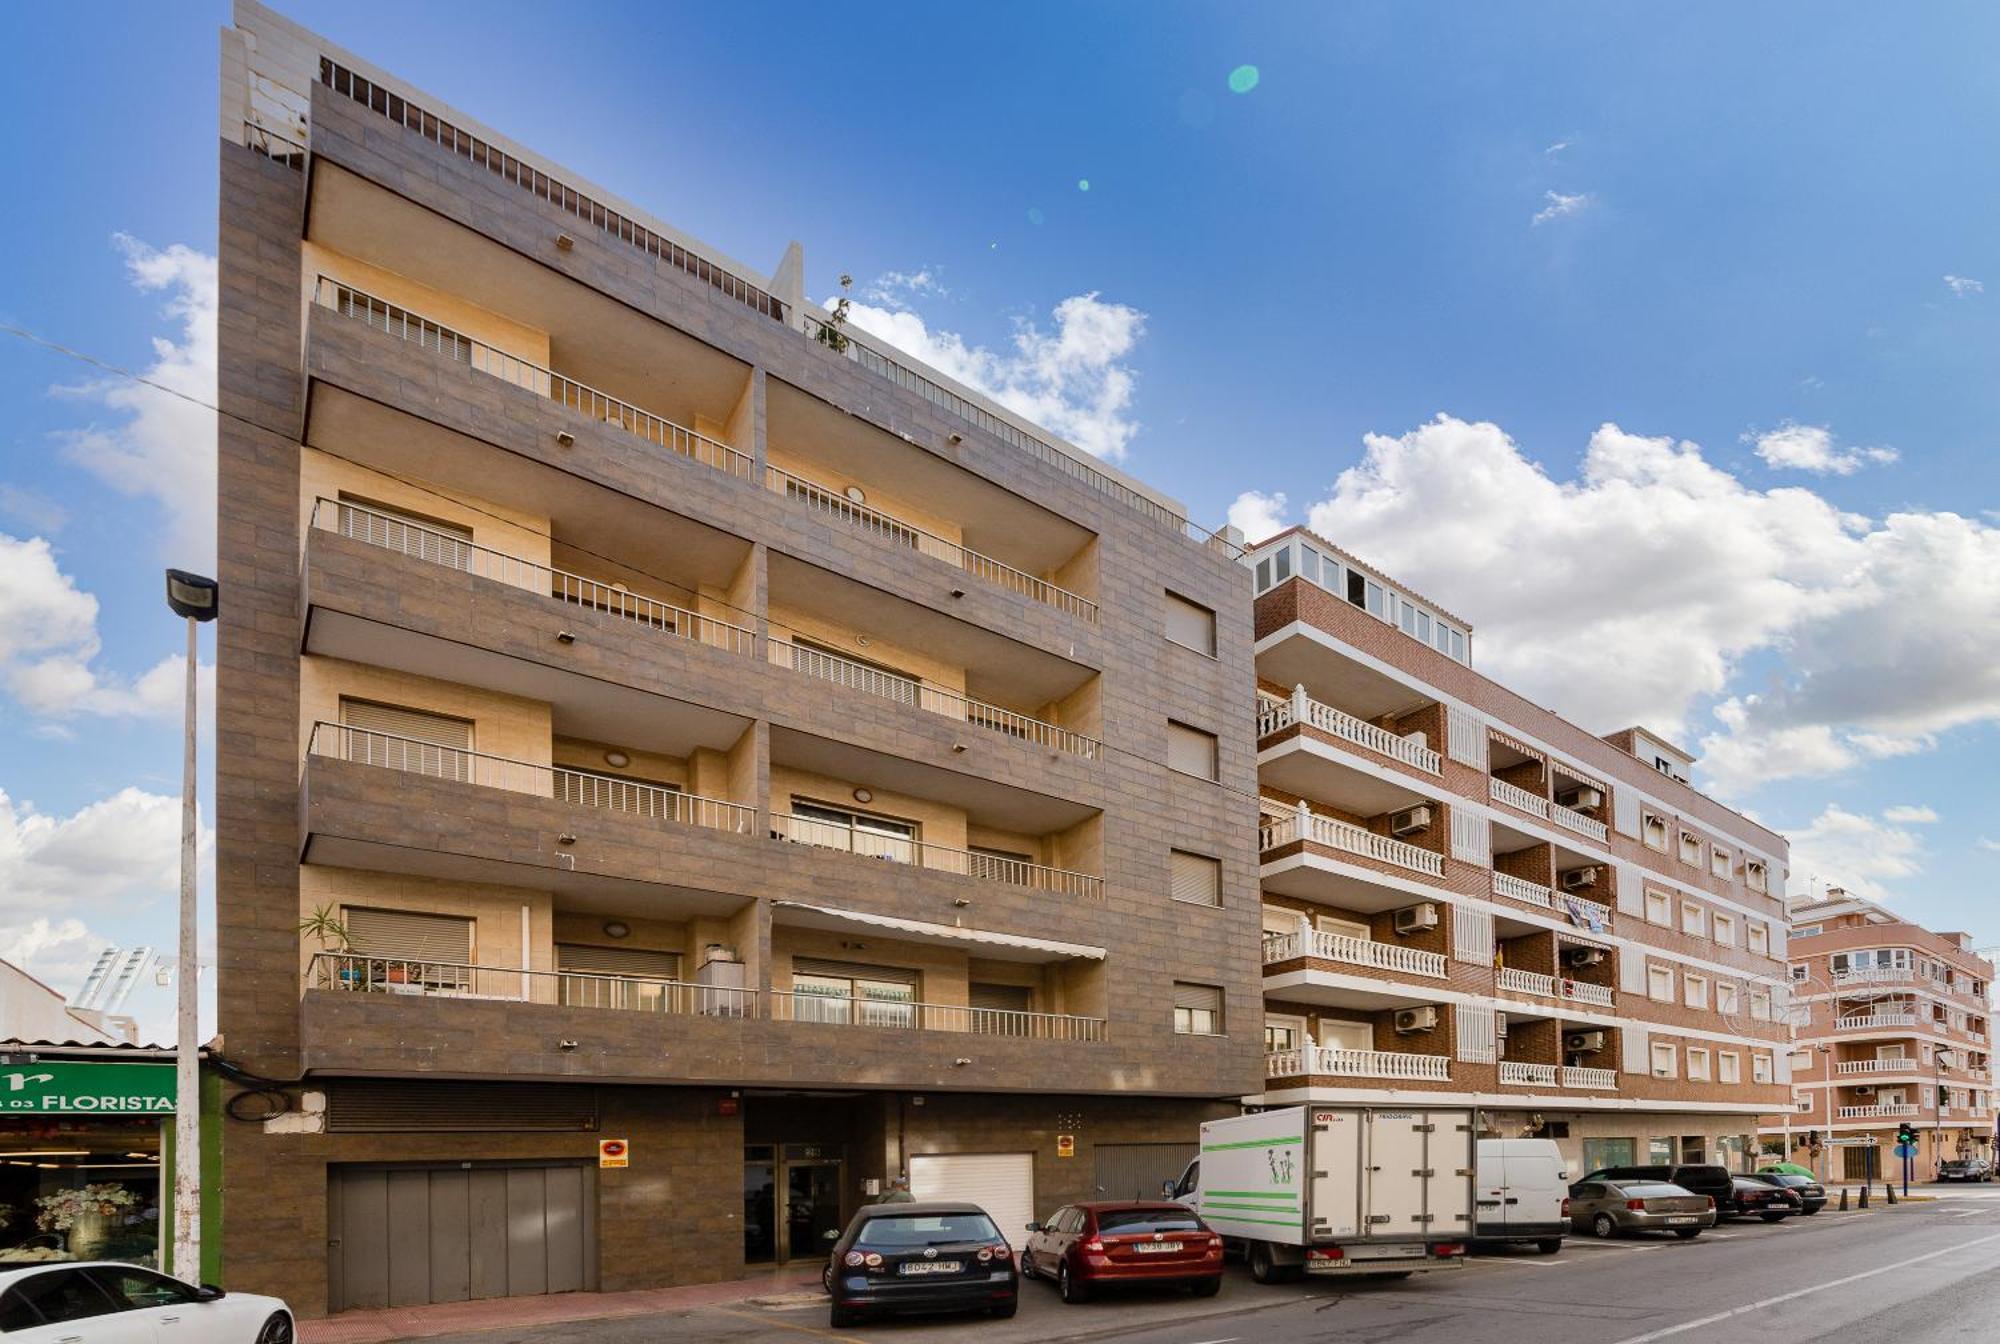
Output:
(49, 645)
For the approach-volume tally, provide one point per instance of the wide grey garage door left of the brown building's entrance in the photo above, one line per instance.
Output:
(405, 1237)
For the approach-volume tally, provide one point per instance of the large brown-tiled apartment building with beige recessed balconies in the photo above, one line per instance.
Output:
(657, 715)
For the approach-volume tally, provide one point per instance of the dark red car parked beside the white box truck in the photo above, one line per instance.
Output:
(1087, 1247)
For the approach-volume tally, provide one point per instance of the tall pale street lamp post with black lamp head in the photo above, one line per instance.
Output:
(197, 599)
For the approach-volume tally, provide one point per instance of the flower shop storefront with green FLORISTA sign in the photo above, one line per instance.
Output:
(81, 1159)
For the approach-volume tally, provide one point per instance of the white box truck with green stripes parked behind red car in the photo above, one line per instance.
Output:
(1339, 1189)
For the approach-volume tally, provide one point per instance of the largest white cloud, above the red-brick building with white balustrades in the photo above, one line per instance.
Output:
(1651, 581)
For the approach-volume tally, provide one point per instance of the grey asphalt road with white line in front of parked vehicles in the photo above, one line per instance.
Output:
(1913, 1275)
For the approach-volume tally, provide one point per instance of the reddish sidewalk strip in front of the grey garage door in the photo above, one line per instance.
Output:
(417, 1323)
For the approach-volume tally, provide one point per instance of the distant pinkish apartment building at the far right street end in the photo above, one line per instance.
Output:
(1893, 1029)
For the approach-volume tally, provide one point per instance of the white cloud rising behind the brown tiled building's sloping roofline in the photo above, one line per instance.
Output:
(1073, 381)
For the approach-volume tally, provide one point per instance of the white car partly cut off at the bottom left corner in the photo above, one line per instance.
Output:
(109, 1303)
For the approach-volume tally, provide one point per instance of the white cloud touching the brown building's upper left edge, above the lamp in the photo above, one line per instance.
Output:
(161, 445)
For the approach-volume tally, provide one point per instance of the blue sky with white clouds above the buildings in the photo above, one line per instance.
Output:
(1765, 231)
